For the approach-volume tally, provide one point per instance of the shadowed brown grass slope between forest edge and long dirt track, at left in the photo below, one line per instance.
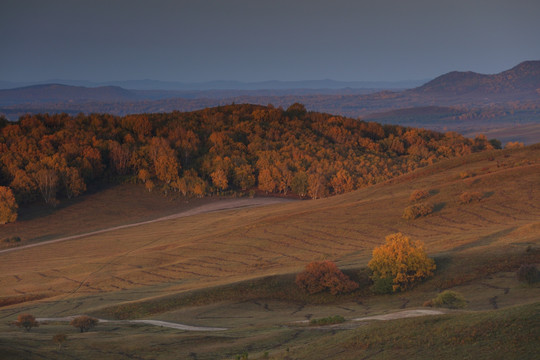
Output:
(106, 208)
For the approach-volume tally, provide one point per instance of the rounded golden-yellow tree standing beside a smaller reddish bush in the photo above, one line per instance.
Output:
(402, 260)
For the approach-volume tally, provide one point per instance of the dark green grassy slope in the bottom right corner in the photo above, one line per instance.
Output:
(512, 333)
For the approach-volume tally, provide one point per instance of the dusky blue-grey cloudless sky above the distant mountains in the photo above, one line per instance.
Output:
(254, 40)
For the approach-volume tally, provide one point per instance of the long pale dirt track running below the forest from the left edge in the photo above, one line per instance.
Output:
(221, 205)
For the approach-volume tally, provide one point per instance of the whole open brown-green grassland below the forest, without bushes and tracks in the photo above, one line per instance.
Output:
(235, 269)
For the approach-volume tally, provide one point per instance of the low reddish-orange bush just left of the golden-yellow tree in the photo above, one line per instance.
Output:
(322, 276)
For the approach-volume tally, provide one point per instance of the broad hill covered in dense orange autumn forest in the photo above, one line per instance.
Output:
(236, 148)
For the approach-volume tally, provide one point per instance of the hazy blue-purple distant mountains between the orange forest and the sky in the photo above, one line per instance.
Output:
(458, 101)
